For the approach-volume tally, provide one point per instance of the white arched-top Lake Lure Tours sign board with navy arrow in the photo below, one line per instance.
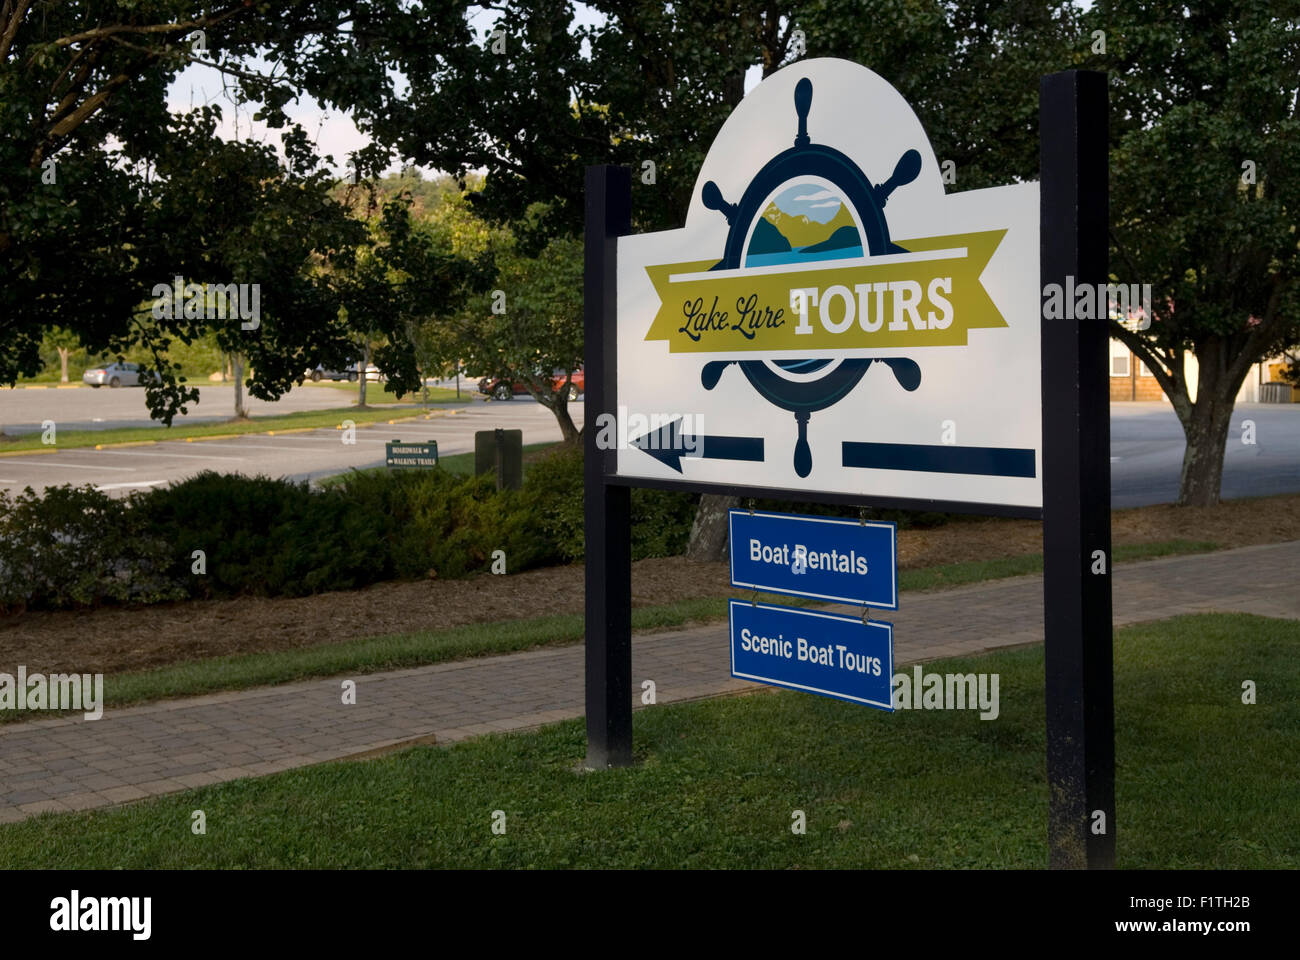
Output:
(830, 319)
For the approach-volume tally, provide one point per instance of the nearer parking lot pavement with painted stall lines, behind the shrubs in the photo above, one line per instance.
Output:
(298, 456)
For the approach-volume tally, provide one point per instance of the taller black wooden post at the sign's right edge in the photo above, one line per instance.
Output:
(1077, 477)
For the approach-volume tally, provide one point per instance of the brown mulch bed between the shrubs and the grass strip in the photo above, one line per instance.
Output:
(114, 639)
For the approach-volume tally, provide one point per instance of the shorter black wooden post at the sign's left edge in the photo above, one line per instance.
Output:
(608, 508)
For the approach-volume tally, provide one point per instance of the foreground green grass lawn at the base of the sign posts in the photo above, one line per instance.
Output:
(1203, 781)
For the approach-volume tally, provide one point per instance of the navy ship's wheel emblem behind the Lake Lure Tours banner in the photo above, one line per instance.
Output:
(809, 204)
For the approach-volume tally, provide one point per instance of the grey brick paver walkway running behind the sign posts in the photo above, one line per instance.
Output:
(70, 764)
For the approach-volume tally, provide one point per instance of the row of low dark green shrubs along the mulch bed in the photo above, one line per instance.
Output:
(76, 547)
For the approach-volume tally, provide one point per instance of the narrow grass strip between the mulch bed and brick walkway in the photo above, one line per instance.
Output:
(401, 651)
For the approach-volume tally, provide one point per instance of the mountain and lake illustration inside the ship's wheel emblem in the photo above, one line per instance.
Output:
(804, 223)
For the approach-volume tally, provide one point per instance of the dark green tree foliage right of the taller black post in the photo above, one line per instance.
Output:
(1206, 136)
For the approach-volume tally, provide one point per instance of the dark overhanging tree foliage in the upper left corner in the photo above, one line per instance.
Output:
(105, 193)
